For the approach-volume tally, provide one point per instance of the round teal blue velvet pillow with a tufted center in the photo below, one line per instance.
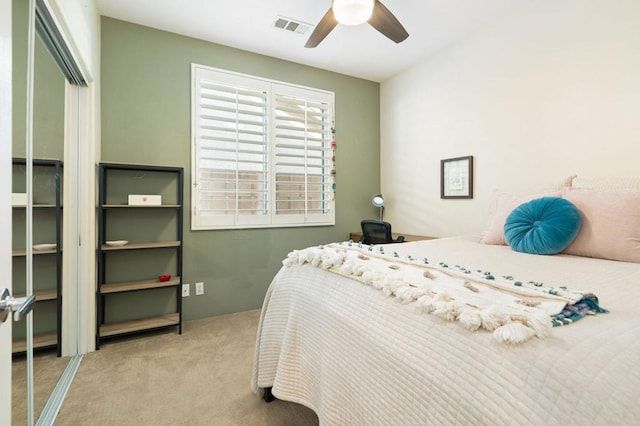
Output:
(545, 225)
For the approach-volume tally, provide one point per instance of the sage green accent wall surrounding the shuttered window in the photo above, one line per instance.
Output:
(146, 106)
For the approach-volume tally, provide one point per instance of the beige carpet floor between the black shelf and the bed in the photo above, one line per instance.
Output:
(198, 378)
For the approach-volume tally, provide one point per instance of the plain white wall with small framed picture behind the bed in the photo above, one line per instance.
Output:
(551, 90)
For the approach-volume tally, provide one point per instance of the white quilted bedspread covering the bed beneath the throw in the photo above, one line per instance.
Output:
(357, 357)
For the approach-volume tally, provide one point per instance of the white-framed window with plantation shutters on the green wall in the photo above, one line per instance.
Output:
(261, 153)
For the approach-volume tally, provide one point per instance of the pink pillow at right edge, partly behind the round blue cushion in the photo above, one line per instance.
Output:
(610, 224)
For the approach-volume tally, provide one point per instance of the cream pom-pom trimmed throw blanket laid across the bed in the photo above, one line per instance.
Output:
(514, 310)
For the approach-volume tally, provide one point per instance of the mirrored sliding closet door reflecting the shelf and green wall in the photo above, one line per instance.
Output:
(40, 91)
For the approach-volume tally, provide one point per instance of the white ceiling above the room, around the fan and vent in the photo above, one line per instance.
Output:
(358, 51)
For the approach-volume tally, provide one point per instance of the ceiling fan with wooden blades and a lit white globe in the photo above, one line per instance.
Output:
(356, 12)
